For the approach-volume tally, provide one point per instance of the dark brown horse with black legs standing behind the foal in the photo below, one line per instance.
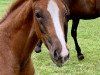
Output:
(79, 9)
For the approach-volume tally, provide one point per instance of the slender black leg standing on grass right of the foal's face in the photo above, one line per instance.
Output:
(74, 35)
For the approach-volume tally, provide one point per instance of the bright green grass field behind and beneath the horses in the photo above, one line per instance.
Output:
(89, 40)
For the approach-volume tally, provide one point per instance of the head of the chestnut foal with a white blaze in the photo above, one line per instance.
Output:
(49, 24)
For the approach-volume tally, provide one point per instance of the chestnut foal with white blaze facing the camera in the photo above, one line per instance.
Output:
(20, 30)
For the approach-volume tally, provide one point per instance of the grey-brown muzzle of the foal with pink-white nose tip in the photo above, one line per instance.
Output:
(58, 54)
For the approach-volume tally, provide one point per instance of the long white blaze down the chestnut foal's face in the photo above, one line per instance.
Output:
(54, 12)
